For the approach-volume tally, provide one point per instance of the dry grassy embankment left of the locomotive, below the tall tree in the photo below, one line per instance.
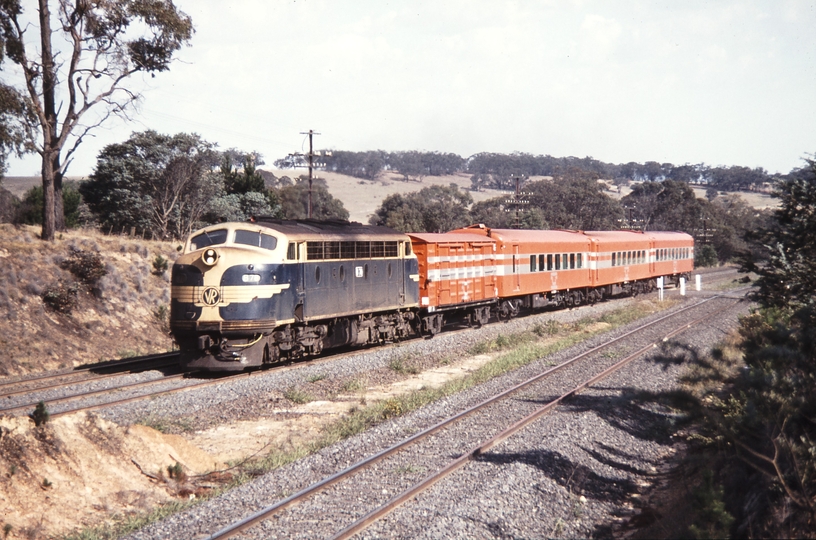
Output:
(124, 315)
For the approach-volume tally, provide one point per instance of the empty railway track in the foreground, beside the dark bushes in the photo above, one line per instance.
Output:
(348, 509)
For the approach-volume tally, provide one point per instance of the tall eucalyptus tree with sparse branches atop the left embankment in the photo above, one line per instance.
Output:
(74, 69)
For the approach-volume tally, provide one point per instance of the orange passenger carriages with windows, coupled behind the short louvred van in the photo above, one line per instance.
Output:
(539, 268)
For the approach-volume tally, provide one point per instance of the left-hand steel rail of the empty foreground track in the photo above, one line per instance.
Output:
(264, 513)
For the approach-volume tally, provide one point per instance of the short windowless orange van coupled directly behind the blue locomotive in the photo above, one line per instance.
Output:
(458, 272)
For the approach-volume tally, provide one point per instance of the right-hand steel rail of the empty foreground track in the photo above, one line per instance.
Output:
(363, 522)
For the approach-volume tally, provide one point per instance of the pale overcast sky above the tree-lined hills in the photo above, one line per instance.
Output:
(726, 82)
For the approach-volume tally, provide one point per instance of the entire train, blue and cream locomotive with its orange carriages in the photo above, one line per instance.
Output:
(255, 293)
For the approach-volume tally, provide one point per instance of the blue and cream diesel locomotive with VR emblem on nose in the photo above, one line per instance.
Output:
(248, 294)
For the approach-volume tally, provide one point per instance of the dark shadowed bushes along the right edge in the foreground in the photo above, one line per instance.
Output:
(757, 418)
